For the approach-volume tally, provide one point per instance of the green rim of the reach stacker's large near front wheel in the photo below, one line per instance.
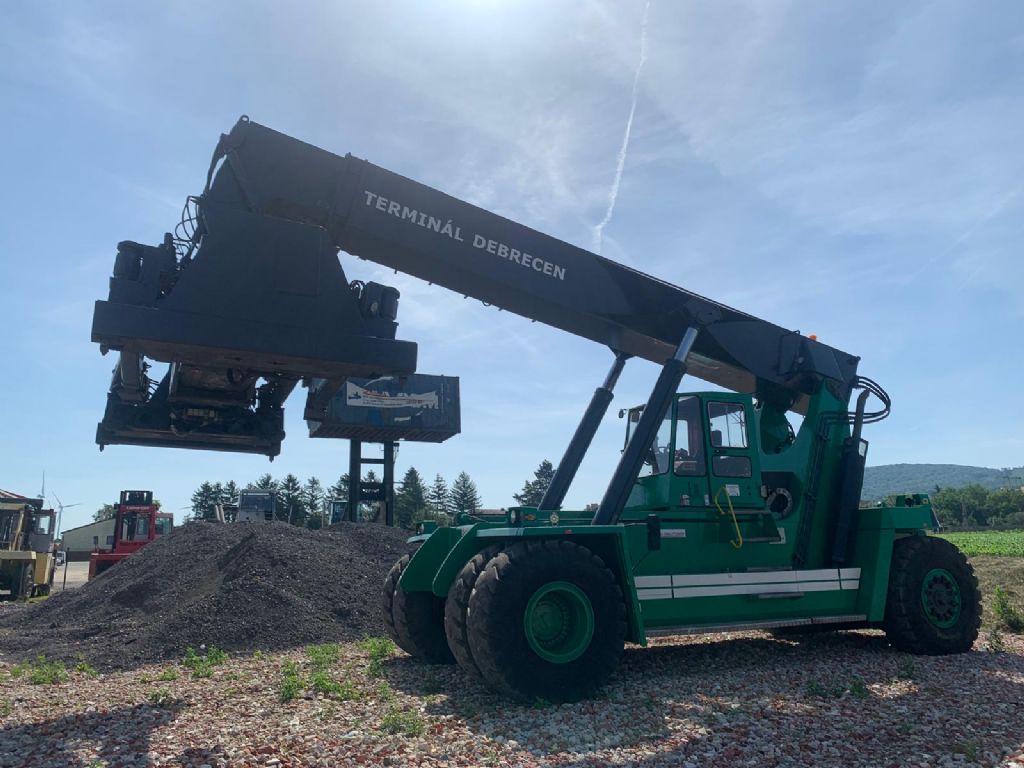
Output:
(560, 622)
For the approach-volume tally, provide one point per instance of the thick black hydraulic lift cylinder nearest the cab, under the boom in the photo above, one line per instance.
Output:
(632, 460)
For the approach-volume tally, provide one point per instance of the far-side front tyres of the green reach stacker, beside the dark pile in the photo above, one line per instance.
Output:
(415, 620)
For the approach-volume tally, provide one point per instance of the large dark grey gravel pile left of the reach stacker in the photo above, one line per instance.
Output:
(238, 587)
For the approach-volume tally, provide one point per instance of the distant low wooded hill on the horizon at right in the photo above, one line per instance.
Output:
(922, 479)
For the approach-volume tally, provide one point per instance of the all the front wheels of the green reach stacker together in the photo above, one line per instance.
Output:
(538, 620)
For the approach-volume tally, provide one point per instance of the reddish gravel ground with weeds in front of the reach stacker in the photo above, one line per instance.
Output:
(744, 700)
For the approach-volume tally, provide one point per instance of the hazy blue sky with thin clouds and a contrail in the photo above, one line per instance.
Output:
(848, 170)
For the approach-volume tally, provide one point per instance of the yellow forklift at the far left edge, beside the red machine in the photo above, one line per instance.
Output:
(28, 556)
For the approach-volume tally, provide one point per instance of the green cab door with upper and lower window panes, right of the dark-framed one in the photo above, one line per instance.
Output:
(735, 468)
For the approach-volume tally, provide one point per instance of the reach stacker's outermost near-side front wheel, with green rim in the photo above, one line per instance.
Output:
(547, 621)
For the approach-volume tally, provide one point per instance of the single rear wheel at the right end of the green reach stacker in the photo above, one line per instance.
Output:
(933, 606)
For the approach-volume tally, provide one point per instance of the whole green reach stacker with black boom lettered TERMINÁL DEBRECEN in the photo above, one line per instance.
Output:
(719, 517)
